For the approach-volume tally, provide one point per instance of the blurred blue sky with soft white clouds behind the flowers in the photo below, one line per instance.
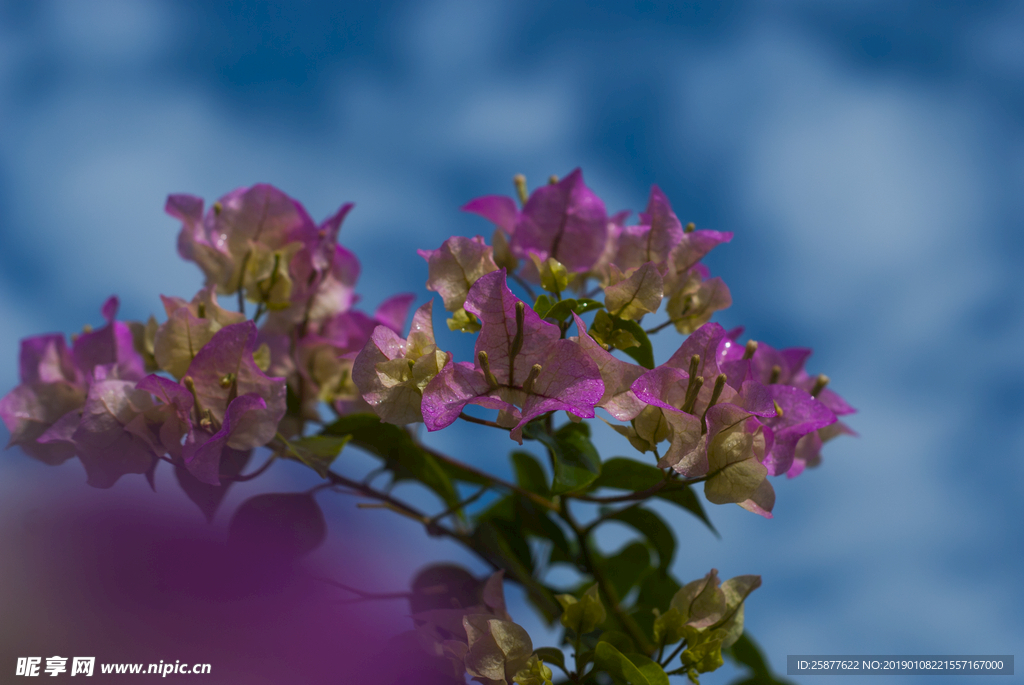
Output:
(869, 157)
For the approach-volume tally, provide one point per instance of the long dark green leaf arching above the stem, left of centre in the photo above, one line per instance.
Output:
(400, 452)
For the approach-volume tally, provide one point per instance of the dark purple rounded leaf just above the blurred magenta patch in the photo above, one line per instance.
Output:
(283, 525)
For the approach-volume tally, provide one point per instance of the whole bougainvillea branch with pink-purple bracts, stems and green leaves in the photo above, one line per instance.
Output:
(557, 304)
